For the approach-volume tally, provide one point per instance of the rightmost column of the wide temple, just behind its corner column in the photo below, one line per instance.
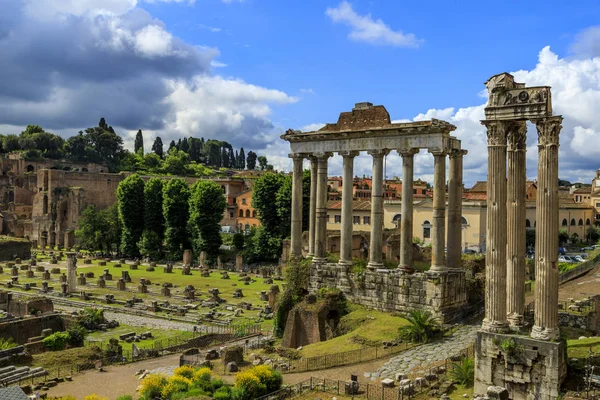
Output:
(455, 187)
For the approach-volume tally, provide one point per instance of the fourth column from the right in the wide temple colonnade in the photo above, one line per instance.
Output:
(375, 253)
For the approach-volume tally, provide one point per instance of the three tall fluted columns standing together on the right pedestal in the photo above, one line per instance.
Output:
(505, 247)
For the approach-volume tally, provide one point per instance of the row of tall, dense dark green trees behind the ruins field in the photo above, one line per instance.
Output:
(157, 219)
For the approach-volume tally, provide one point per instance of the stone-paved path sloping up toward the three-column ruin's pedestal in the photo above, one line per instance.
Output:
(428, 353)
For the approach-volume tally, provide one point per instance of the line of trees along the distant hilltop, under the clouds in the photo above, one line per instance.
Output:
(102, 145)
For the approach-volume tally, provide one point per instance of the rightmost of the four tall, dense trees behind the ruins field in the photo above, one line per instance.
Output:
(207, 205)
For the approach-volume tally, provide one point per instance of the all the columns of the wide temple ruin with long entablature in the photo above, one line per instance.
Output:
(318, 208)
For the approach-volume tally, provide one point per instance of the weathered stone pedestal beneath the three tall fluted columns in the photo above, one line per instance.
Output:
(528, 368)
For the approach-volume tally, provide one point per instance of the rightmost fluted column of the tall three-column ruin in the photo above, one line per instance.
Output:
(545, 322)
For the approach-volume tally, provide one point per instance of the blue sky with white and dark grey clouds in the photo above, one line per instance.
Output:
(245, 71)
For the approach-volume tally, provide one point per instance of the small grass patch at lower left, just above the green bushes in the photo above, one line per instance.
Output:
(157, 335)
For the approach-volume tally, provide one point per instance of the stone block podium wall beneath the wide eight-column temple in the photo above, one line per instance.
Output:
(442, 294)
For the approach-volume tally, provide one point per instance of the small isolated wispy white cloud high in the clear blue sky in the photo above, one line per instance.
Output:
(365, 29)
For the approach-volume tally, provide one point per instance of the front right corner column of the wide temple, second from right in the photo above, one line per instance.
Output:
(438, 234)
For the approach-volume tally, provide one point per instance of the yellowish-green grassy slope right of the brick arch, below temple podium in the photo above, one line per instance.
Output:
(364, 327)
